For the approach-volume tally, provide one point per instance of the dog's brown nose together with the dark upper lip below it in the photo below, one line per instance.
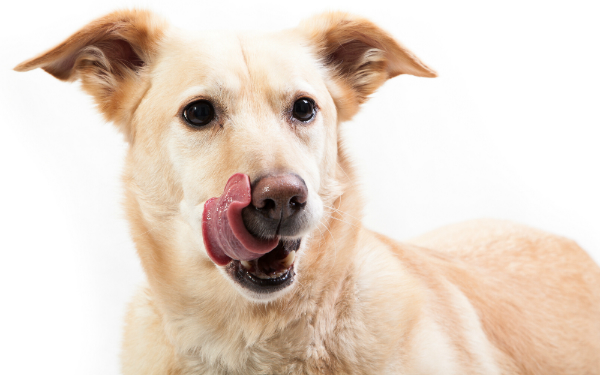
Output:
(277, 206)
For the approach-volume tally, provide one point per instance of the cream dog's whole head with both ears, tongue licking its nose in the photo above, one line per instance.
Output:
(234, 159)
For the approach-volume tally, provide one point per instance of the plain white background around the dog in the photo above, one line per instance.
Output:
(509, 130)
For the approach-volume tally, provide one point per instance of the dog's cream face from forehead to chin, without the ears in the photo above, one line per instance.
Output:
(250, 105)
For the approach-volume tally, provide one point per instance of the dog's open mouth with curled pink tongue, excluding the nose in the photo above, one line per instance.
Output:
(262, 265)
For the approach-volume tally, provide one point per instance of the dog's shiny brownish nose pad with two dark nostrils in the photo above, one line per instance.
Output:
(279, 197)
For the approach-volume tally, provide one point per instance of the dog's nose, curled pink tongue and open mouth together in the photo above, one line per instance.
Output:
(255, 230)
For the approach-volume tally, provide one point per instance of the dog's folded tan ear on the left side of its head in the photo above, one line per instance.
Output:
(109, 56)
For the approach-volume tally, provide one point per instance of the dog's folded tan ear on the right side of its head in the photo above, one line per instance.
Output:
(360, 55)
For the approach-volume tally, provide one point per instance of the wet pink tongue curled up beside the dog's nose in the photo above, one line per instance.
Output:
(224, 233)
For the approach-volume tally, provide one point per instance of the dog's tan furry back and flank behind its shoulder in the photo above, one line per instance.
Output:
(538, 295)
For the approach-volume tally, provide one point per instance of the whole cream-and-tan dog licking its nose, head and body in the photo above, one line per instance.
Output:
(246, 217)
